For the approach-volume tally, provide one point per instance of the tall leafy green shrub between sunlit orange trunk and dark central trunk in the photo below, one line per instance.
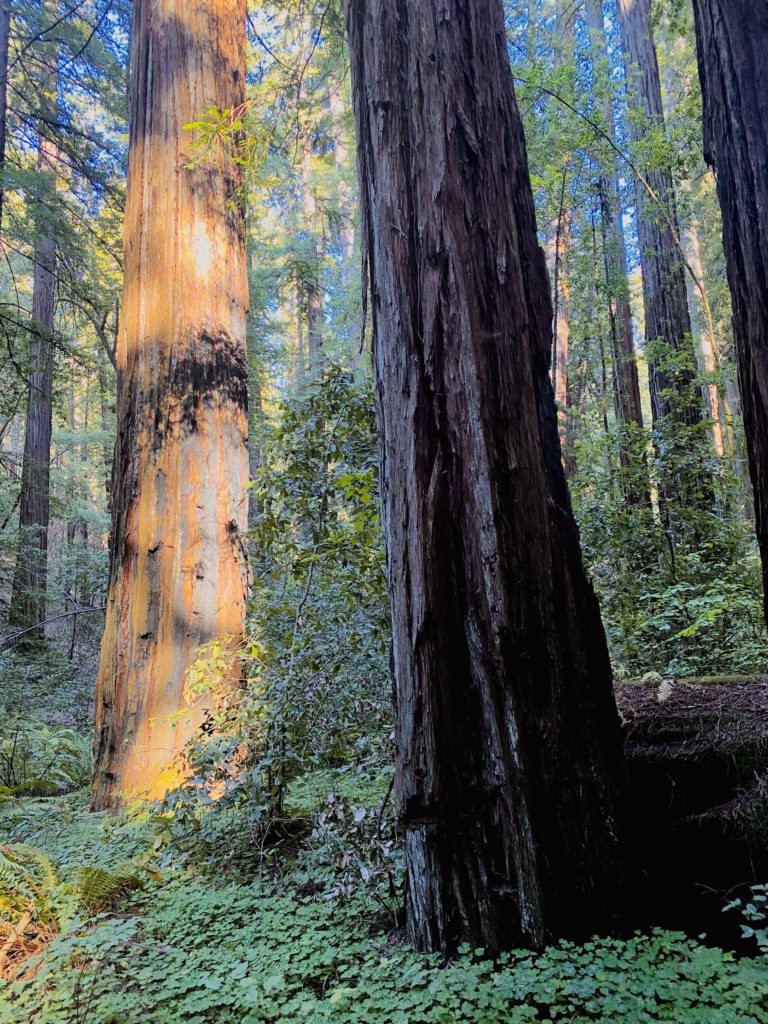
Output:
(319, 691)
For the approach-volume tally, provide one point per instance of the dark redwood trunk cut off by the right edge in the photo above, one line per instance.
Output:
(733, 46)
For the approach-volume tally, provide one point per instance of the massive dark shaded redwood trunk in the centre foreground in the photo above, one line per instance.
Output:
(507, 731)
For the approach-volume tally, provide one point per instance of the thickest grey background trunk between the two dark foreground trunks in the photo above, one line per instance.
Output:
(665, 296)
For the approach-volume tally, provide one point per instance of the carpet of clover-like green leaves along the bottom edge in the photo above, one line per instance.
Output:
(233, 955)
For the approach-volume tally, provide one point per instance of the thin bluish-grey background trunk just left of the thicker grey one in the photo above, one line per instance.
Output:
(626, 385)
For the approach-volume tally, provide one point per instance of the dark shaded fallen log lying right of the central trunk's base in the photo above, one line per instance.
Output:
(698, 777)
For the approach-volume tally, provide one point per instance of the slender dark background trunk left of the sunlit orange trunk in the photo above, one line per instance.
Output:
(29, 592)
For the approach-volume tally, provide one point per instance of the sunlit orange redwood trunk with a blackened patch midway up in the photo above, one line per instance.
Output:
(182, 459)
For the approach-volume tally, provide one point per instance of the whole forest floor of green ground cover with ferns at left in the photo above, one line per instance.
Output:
(296, 927)
